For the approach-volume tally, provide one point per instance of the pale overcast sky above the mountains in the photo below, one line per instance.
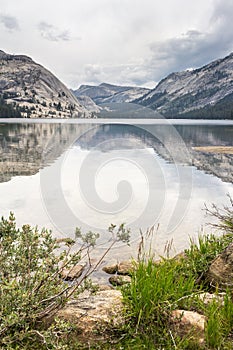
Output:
(134, 42)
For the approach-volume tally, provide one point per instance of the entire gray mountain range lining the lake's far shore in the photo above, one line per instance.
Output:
(27, 89)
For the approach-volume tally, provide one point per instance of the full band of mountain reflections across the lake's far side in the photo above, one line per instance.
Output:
(26, 148)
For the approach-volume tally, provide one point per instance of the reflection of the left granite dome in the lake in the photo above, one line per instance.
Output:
(26, 148)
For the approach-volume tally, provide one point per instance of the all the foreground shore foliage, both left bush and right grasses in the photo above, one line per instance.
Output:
(31, 288)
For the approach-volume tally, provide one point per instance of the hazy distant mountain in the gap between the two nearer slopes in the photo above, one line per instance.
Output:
(108, 93)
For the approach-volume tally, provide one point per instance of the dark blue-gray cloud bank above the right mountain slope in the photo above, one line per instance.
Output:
(194, 48)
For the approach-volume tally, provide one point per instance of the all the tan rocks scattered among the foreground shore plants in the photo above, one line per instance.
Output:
(96, 315)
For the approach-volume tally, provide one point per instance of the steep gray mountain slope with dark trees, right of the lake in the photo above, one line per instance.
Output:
(206, 92)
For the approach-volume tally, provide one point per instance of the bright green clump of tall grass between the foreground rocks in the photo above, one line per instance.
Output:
(156, 289)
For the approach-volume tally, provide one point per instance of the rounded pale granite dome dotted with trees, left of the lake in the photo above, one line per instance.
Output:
(34, 91)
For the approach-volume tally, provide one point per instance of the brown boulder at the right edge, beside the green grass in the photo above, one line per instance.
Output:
(220, 272)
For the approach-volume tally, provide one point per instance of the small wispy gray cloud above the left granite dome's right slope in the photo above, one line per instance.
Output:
(52, 33)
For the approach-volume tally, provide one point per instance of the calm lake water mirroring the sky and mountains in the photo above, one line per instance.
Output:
(90, 174)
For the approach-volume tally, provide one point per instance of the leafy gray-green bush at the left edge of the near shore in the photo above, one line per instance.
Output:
(31, 286)
